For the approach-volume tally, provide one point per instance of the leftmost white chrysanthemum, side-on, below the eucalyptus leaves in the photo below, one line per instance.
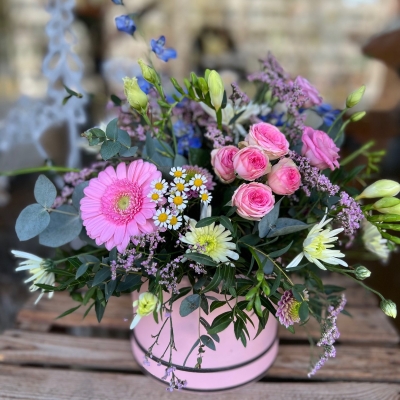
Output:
(37, 268)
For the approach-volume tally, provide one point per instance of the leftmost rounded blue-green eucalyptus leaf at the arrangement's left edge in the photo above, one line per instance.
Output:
(33, 220)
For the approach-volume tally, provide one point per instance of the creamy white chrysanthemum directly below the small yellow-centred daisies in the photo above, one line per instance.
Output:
(212, 240)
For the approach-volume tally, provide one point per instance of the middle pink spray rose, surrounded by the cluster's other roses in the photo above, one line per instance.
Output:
(251, 163)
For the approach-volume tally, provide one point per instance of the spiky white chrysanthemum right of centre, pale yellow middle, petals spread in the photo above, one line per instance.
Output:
(317, 247)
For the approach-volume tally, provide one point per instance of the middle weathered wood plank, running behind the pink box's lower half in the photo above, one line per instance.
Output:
(369, 364)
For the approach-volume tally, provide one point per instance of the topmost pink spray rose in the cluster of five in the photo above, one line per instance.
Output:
(269, 138)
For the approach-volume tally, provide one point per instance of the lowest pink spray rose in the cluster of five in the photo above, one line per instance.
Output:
(253, 200)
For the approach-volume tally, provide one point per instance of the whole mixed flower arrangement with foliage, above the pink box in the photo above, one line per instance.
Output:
(227, 194)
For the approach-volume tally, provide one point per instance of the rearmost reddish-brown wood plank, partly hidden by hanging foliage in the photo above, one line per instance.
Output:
(368, 325)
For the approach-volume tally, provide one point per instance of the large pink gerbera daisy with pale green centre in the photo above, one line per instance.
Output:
(116, 205)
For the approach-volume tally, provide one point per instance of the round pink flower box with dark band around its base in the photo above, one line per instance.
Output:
(230, 366)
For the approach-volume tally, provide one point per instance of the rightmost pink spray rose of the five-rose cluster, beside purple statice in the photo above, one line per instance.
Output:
(284, 177)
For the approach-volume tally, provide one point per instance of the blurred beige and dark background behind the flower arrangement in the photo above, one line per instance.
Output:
(338, 45)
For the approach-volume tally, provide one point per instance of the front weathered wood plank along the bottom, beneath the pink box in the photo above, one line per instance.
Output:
(37, 383)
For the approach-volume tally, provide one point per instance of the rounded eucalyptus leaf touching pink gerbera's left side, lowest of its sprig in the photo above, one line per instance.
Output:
(62, 227)
